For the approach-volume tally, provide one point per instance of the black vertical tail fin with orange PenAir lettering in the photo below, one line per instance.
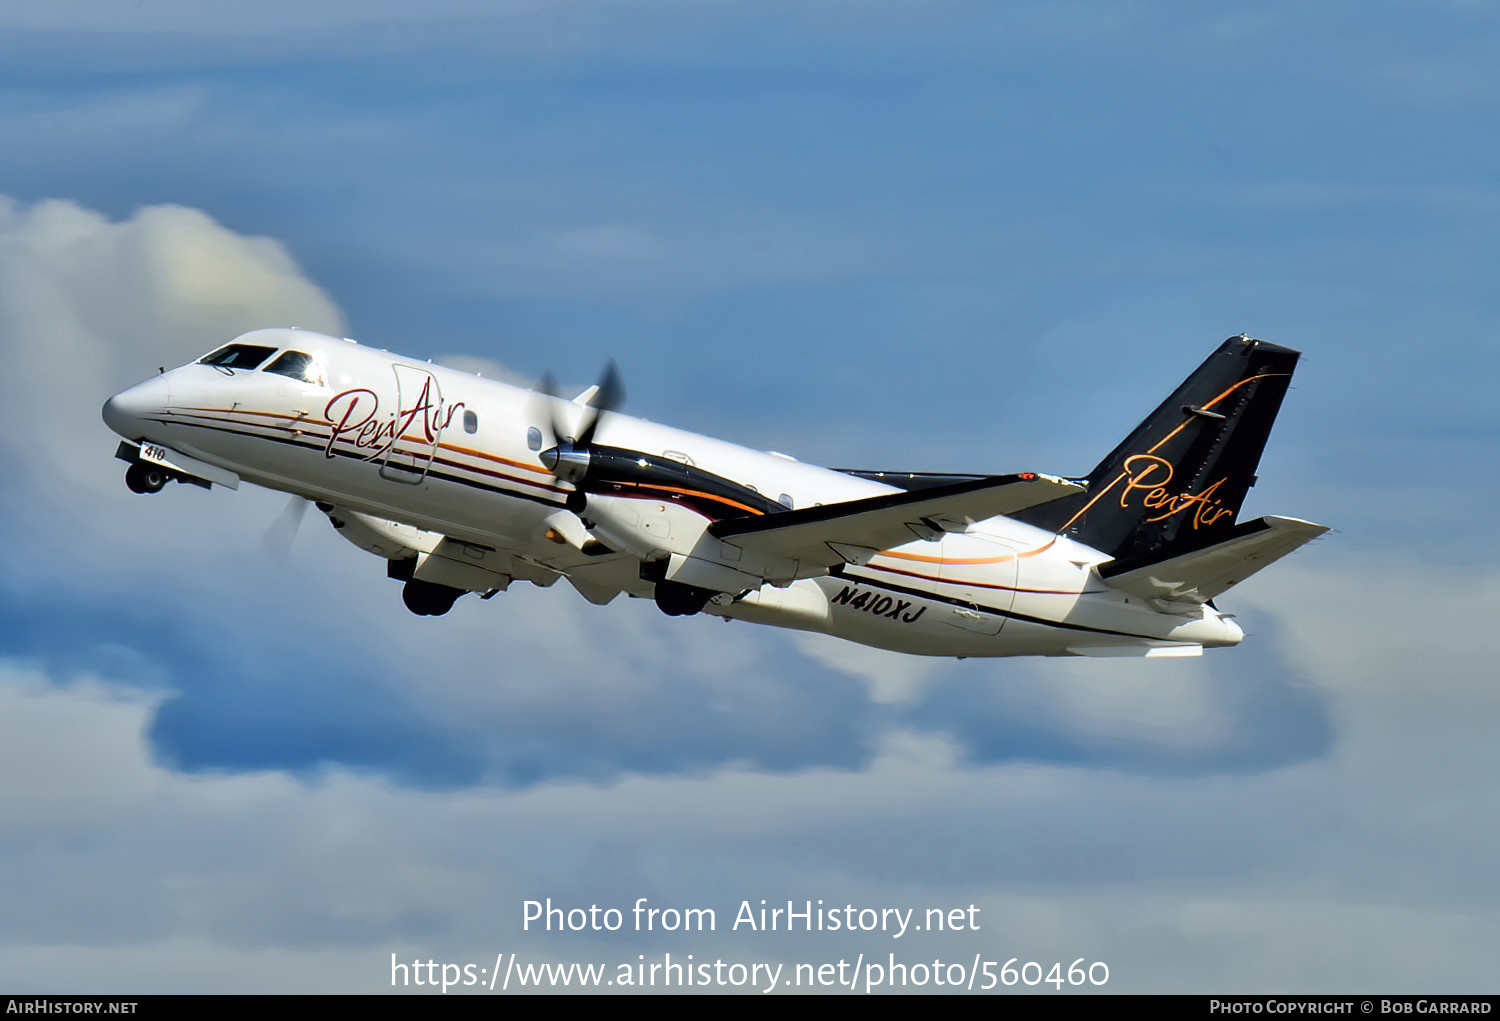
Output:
(1180, 479)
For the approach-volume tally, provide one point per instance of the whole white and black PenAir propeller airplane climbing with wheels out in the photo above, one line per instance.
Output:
(466, 485)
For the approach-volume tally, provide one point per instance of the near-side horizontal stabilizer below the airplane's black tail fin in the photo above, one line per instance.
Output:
(1204, 573)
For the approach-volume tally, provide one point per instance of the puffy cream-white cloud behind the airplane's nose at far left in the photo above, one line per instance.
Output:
(89, 307)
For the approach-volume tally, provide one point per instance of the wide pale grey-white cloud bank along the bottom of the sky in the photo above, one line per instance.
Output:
(262, 882)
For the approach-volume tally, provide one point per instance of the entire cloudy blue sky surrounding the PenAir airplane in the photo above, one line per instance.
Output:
(956, 238)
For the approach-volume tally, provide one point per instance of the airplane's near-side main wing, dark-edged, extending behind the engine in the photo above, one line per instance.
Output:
(854, 531)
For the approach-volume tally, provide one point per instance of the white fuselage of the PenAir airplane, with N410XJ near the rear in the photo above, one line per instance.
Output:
(457, 457)
